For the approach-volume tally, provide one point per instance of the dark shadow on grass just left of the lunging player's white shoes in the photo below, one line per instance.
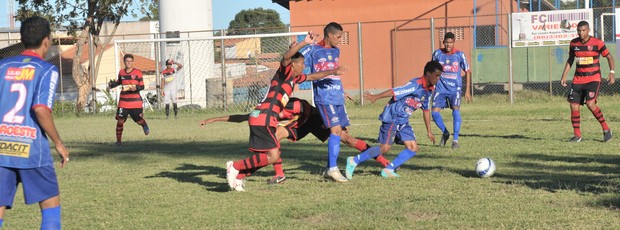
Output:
(190, 173)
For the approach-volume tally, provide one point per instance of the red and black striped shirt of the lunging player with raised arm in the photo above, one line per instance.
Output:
(282, 85)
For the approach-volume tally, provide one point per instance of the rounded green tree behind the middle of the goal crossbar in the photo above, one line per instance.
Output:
(260, 21)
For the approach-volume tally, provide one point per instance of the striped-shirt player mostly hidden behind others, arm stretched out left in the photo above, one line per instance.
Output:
(297, 120)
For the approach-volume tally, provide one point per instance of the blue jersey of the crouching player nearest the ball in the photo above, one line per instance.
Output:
(407, 98)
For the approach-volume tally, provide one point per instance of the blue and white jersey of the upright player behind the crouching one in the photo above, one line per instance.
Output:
(451, 80)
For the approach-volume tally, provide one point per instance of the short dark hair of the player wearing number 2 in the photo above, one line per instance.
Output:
(33, 30)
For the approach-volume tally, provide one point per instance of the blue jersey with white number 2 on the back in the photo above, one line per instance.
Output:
(27, 82)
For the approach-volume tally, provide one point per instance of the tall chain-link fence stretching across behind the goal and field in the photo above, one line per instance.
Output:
(232, 73)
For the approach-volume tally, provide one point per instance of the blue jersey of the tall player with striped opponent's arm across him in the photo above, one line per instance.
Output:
(327, 91)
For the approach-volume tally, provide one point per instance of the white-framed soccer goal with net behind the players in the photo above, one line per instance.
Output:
(229, 73)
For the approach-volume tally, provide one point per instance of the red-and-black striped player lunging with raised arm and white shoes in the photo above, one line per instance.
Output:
(263, 120)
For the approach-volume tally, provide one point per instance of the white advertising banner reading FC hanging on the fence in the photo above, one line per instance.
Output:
(548, 28)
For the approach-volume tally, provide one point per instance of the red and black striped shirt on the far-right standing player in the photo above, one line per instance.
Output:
(587, 55)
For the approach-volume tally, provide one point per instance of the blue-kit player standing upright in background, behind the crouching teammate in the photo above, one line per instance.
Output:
(449, 88)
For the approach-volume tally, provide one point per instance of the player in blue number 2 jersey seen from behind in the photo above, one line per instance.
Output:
(27, 90)
